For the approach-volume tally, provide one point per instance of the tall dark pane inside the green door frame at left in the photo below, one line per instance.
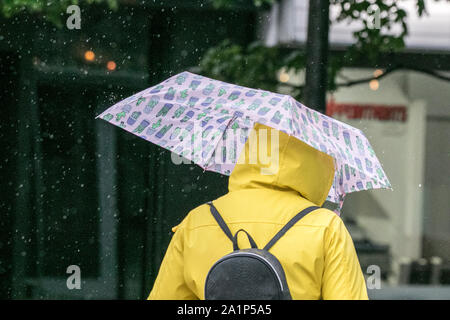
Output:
(68, 213)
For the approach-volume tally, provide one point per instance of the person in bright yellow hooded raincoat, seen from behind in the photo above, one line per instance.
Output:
(317, 253)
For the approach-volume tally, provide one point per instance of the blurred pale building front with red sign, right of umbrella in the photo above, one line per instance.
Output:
(406, 116)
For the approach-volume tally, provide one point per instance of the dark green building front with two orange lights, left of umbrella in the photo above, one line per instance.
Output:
(75, 191)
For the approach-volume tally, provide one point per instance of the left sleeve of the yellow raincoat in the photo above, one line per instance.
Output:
(170, 284)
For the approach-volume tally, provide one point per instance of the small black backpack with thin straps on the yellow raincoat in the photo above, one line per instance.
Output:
(249, 274)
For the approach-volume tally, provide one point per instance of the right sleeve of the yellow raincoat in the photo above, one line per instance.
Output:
(342, 276)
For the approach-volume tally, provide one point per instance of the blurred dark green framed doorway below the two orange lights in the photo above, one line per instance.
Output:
(71, 214)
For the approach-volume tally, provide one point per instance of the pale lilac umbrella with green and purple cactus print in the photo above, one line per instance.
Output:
(189, 114)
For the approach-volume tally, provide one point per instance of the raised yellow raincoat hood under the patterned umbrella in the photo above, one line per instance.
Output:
(291, 165)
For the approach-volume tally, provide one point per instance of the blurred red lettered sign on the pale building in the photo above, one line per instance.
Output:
(367, 111)
